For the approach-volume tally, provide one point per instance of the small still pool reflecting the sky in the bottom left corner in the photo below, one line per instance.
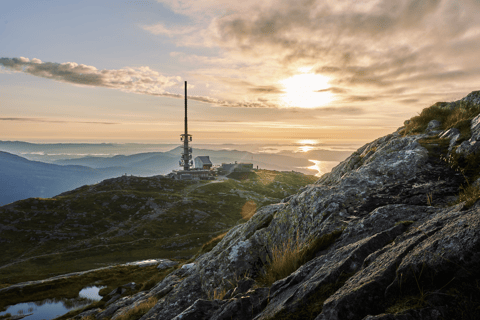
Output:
(52, 308)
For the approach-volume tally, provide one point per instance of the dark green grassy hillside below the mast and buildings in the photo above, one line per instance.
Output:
(127, 219)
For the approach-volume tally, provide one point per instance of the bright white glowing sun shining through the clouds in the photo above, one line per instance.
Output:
(306, 90)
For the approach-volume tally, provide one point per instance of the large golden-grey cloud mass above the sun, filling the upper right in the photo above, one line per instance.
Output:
(368, 48)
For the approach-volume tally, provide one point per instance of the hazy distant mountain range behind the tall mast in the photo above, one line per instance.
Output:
(21, 178)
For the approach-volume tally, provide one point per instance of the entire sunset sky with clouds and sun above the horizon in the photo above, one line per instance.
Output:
(324, 70)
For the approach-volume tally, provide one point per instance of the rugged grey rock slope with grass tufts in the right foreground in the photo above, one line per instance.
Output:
(402, 250)
